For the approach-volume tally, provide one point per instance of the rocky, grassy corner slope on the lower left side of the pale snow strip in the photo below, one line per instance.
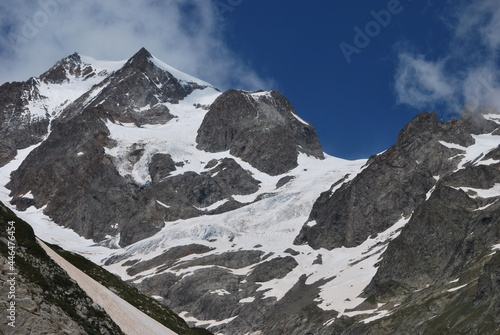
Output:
(45, 299)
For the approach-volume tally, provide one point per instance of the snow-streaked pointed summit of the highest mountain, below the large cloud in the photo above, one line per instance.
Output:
(76, 76)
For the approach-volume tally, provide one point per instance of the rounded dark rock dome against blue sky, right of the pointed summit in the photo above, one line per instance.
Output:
(260, 129)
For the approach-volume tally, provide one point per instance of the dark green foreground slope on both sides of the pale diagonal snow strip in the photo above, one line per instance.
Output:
(48, 300)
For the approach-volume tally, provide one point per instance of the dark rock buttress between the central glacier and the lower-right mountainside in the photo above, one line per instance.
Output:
(369, 204)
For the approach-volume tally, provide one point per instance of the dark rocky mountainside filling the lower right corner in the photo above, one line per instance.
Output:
(441, 270)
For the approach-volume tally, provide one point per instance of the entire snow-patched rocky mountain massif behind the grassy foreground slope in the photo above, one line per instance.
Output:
(223, 206)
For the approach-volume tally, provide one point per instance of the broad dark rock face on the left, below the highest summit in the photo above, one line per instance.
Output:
(80, 185)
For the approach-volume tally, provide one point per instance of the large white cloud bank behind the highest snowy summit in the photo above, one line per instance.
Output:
(187, 34)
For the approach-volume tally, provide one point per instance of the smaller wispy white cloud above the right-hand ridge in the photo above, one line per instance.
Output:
(467, 75)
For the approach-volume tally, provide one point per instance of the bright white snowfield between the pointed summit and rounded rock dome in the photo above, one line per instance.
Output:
(177, 138)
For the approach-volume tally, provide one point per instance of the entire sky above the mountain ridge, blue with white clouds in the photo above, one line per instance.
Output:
(356, 70)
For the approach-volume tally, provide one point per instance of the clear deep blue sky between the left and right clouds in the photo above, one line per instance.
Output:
(355, 106)
